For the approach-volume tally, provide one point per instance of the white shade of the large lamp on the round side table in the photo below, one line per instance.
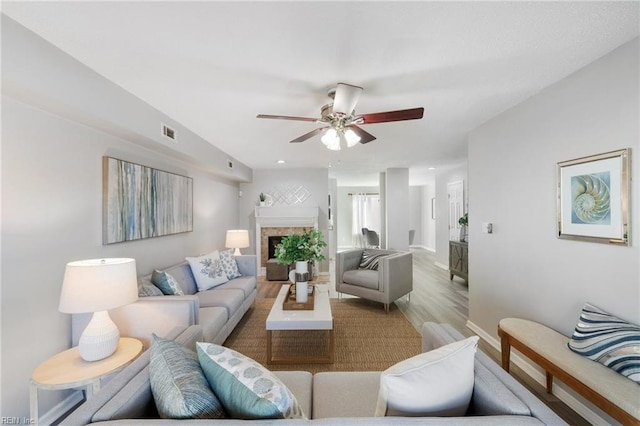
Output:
(98, 285)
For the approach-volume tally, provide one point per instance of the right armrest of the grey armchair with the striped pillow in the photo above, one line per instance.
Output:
(396, 274)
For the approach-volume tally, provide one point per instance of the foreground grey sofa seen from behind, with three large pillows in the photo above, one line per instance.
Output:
(332, 398)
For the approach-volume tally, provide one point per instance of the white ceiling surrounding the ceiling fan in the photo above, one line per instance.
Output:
(213, 66)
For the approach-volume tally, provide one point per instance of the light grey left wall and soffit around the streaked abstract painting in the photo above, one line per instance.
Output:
(52, 198)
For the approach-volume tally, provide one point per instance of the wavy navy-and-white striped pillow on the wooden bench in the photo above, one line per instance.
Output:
(608, 340)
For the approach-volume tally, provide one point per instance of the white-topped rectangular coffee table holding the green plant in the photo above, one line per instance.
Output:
(320, 318)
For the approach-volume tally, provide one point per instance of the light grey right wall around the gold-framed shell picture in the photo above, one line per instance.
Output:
(522, 269)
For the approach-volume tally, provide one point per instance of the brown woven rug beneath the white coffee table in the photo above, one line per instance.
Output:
(366, 338)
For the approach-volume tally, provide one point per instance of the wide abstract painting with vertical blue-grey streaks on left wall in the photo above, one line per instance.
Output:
(141, 202)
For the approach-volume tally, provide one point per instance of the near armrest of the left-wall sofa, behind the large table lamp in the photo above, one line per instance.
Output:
(153, 314)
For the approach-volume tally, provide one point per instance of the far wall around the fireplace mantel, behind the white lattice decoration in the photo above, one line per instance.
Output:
(315, 181)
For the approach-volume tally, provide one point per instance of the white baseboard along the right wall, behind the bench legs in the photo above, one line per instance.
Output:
(530, 369)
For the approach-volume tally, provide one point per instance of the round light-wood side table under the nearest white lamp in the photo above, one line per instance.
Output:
(67, 370)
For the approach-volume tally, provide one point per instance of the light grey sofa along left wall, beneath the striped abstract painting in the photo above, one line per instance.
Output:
(217, 310)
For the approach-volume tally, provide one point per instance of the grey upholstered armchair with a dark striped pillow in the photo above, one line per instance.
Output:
(392, 280)
